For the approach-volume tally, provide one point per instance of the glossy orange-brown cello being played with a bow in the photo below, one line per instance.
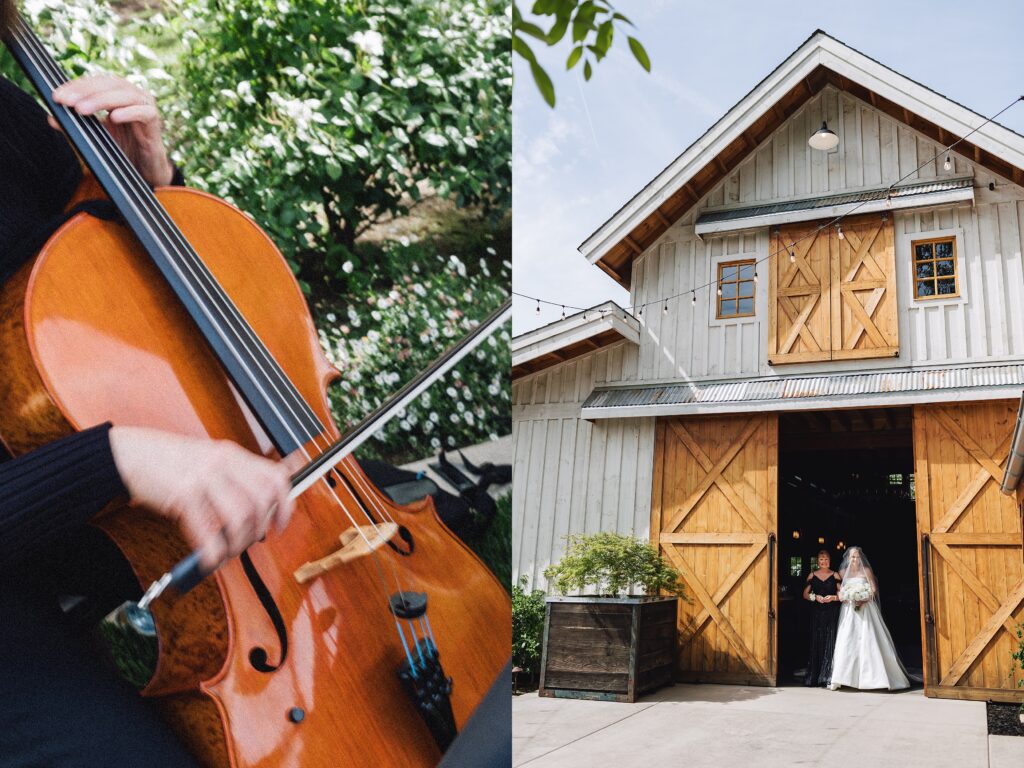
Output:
(183, 316)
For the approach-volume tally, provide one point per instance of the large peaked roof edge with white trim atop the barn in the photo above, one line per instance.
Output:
(821, 61)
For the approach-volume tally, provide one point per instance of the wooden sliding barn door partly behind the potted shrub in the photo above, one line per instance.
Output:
(714, 517)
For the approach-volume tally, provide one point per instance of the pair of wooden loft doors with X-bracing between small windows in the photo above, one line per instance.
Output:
(833, 298)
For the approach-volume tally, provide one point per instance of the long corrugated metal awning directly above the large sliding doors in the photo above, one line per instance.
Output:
(808, 393)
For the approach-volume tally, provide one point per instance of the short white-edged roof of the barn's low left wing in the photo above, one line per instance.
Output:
(573, 336)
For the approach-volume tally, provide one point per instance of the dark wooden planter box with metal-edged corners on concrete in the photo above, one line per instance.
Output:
(608, 649)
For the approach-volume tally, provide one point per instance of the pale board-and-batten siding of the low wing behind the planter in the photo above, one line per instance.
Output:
(572, 476)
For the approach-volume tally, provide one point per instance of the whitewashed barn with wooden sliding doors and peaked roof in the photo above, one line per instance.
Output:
(791, 383)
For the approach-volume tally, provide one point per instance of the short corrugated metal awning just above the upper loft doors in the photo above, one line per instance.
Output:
(808, 209)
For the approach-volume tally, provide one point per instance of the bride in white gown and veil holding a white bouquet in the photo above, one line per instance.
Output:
(866, 657)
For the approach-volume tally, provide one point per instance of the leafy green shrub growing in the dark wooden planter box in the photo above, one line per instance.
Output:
(614, 565)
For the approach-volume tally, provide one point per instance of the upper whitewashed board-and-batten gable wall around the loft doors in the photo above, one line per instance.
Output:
(689, 344)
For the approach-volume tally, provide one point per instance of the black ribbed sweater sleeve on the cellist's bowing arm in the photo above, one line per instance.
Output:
(52, 491)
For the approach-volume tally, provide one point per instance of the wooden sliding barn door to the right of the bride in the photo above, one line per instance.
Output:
(970, 548)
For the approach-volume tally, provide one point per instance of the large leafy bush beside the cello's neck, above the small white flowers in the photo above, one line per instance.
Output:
(322, 117)
